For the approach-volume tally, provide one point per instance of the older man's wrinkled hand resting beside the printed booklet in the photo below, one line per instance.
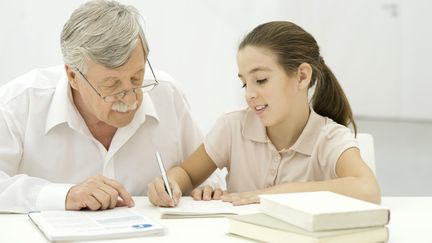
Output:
(98, 193)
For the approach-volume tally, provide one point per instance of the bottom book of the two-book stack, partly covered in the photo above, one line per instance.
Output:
(265, 228)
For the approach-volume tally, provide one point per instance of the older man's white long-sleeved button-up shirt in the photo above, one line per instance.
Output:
(46, 147)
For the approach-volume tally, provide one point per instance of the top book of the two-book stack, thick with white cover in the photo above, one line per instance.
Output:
(322, 210)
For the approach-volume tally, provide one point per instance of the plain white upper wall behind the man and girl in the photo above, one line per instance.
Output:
(379, 49)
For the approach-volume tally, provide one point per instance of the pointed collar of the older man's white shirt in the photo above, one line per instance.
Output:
(63, 110)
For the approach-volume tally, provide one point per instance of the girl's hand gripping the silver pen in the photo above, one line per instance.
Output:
(158, 196)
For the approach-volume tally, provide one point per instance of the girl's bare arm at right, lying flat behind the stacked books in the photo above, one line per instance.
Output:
(355, 179)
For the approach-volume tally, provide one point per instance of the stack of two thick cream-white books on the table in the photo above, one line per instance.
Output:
(313, 217)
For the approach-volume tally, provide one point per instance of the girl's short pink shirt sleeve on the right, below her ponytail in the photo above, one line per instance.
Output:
(334, 141)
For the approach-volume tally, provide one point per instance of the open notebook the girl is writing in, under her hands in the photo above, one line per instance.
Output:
(189, 208)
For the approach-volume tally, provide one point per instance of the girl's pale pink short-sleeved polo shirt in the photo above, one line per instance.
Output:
(239, 142)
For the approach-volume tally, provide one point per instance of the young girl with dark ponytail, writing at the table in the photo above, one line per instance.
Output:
(281, 142)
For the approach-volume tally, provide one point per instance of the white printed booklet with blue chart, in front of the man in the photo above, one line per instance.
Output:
(120, 222)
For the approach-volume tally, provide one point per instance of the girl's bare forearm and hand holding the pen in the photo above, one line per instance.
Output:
(183, 178)
